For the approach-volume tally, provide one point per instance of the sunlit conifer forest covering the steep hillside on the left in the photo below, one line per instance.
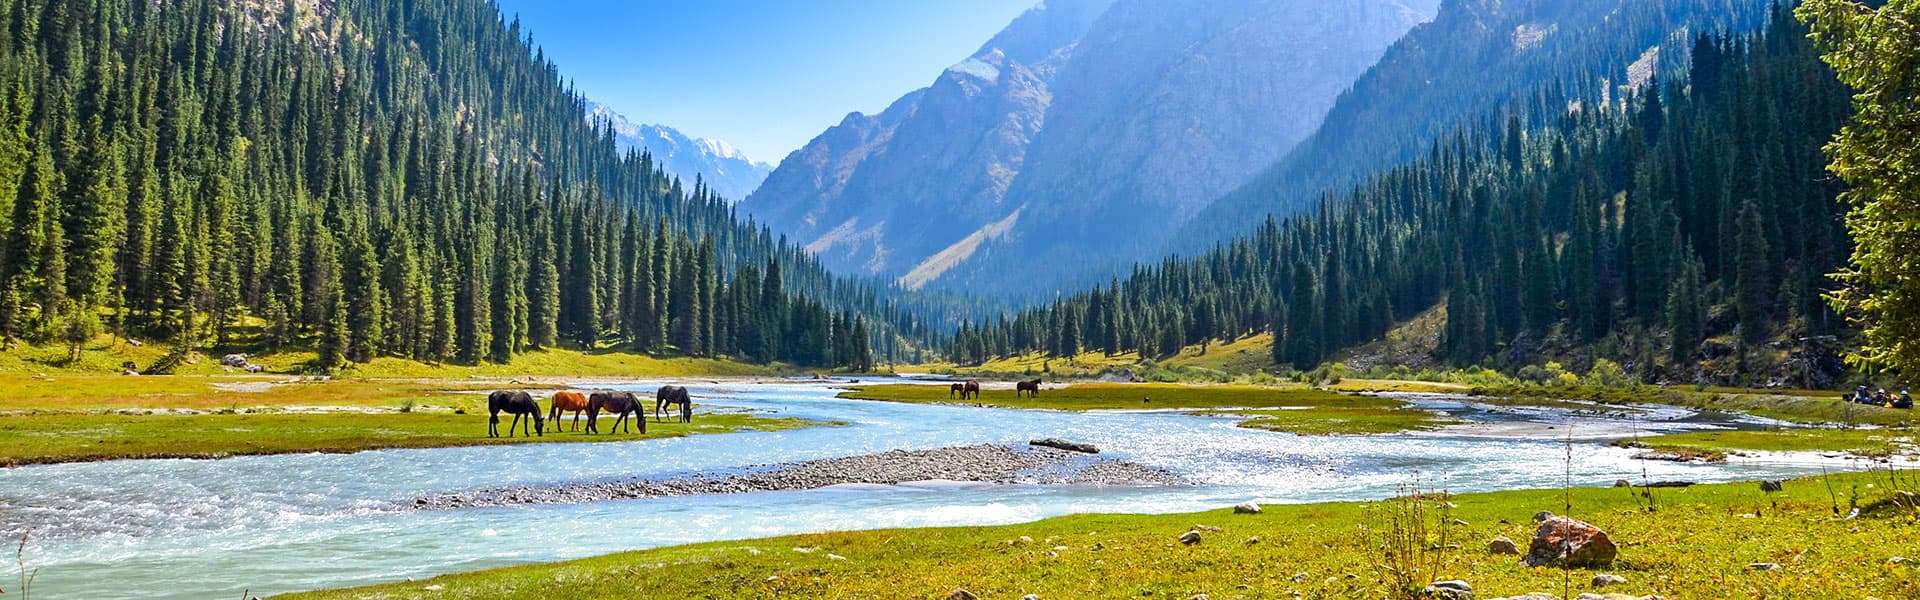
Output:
(370, 180)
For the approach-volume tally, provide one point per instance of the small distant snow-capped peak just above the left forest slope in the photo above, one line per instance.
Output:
(725, 168)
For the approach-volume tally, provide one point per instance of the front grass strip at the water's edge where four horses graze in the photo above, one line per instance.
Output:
(85, 437)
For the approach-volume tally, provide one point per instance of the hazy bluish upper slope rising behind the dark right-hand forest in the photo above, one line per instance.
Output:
(1474, 57)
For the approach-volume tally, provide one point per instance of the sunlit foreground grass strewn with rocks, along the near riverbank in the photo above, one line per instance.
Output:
(1694, 543)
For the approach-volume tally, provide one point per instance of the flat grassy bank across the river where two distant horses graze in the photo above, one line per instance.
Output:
(1276, 409)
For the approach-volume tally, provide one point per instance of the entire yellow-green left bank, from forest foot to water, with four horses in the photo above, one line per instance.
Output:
(84, 418)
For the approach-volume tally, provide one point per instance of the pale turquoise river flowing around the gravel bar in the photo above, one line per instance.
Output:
(277, 524)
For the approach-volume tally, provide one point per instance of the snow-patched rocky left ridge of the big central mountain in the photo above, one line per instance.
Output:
(861, 195)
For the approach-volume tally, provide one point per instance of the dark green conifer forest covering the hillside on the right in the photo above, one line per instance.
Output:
(1691, 216)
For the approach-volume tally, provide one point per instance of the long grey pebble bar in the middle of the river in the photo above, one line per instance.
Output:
(974, 464)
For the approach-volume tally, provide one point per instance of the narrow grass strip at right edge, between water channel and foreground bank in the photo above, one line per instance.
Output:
(1721, 443)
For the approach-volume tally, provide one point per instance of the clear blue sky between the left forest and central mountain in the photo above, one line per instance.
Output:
(765, 76)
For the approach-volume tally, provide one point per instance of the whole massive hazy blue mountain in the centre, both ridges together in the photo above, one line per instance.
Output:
(1082, 132)
